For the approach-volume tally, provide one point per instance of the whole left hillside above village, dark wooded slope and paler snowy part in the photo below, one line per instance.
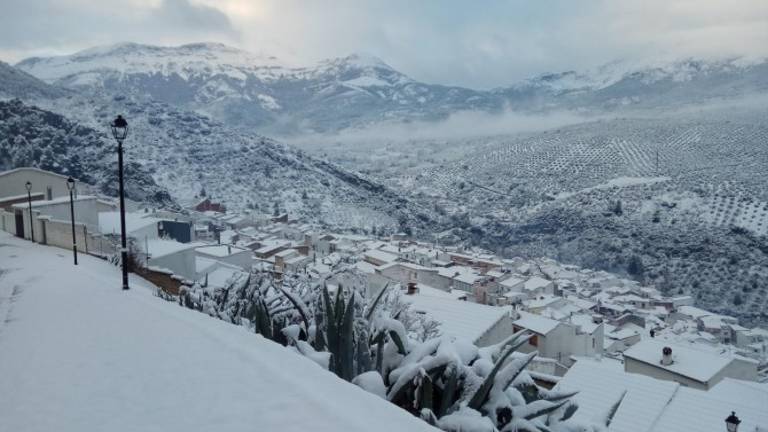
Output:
(182, 153)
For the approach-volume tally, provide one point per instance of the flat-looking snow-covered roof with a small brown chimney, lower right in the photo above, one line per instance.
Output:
(697, 364)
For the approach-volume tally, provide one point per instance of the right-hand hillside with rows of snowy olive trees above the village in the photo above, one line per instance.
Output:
(595, 195)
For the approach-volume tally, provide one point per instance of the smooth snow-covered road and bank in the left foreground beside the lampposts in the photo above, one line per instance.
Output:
(79, 354)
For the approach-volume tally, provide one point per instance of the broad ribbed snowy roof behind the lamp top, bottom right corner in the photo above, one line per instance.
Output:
(654, 405)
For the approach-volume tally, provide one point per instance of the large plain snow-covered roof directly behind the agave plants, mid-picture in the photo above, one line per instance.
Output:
(460, 319)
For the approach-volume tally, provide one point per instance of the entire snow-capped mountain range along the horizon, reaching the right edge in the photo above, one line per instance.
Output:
(259, 91)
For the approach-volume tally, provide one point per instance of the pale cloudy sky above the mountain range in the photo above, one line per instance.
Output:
(482, 44)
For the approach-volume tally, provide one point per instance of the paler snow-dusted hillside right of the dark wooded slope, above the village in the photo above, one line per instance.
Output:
(189, 153)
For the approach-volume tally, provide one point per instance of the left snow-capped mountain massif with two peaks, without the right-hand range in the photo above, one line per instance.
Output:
(245, 90)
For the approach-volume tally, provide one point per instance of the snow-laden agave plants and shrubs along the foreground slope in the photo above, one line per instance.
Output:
(452, 384)
